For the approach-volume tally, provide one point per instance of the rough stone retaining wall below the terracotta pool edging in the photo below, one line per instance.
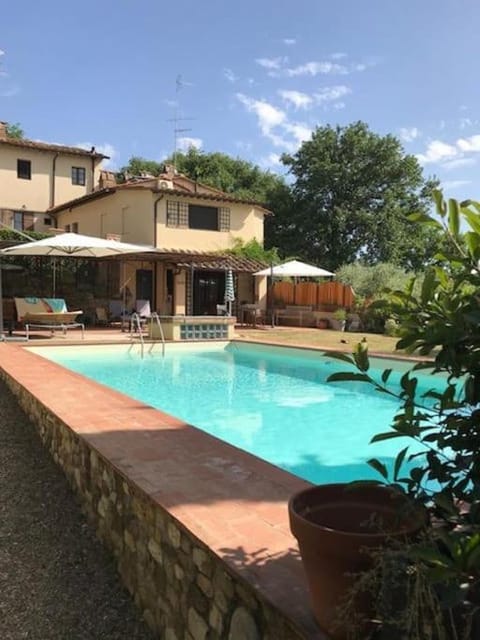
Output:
(185, 591)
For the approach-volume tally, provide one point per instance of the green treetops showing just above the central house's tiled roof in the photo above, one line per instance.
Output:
(231, 175)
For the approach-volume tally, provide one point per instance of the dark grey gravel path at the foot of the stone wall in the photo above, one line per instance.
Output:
(56, 581)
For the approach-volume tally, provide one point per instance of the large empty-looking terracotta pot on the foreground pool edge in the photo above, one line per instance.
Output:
(334, 525)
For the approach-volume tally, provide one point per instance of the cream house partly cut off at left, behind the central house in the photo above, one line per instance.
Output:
(35, 176)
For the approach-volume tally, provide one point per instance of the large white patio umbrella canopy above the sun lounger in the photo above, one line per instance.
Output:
(74, 245)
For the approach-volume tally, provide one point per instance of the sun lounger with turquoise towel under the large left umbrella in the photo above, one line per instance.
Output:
(46, 313)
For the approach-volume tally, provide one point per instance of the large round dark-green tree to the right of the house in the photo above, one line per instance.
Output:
(349, 201)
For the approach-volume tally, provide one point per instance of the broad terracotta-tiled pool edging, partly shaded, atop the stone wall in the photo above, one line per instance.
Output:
(236, 503)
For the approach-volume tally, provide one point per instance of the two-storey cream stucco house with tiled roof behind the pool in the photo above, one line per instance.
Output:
(191, 225)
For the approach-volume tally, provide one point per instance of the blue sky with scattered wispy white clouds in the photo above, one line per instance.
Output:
(257, 77)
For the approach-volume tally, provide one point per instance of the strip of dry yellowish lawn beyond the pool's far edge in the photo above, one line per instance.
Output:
(320, 338)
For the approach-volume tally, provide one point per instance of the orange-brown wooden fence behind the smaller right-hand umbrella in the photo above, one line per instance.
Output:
(323, 294)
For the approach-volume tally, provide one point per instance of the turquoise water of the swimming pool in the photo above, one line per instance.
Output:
(274, 403)
